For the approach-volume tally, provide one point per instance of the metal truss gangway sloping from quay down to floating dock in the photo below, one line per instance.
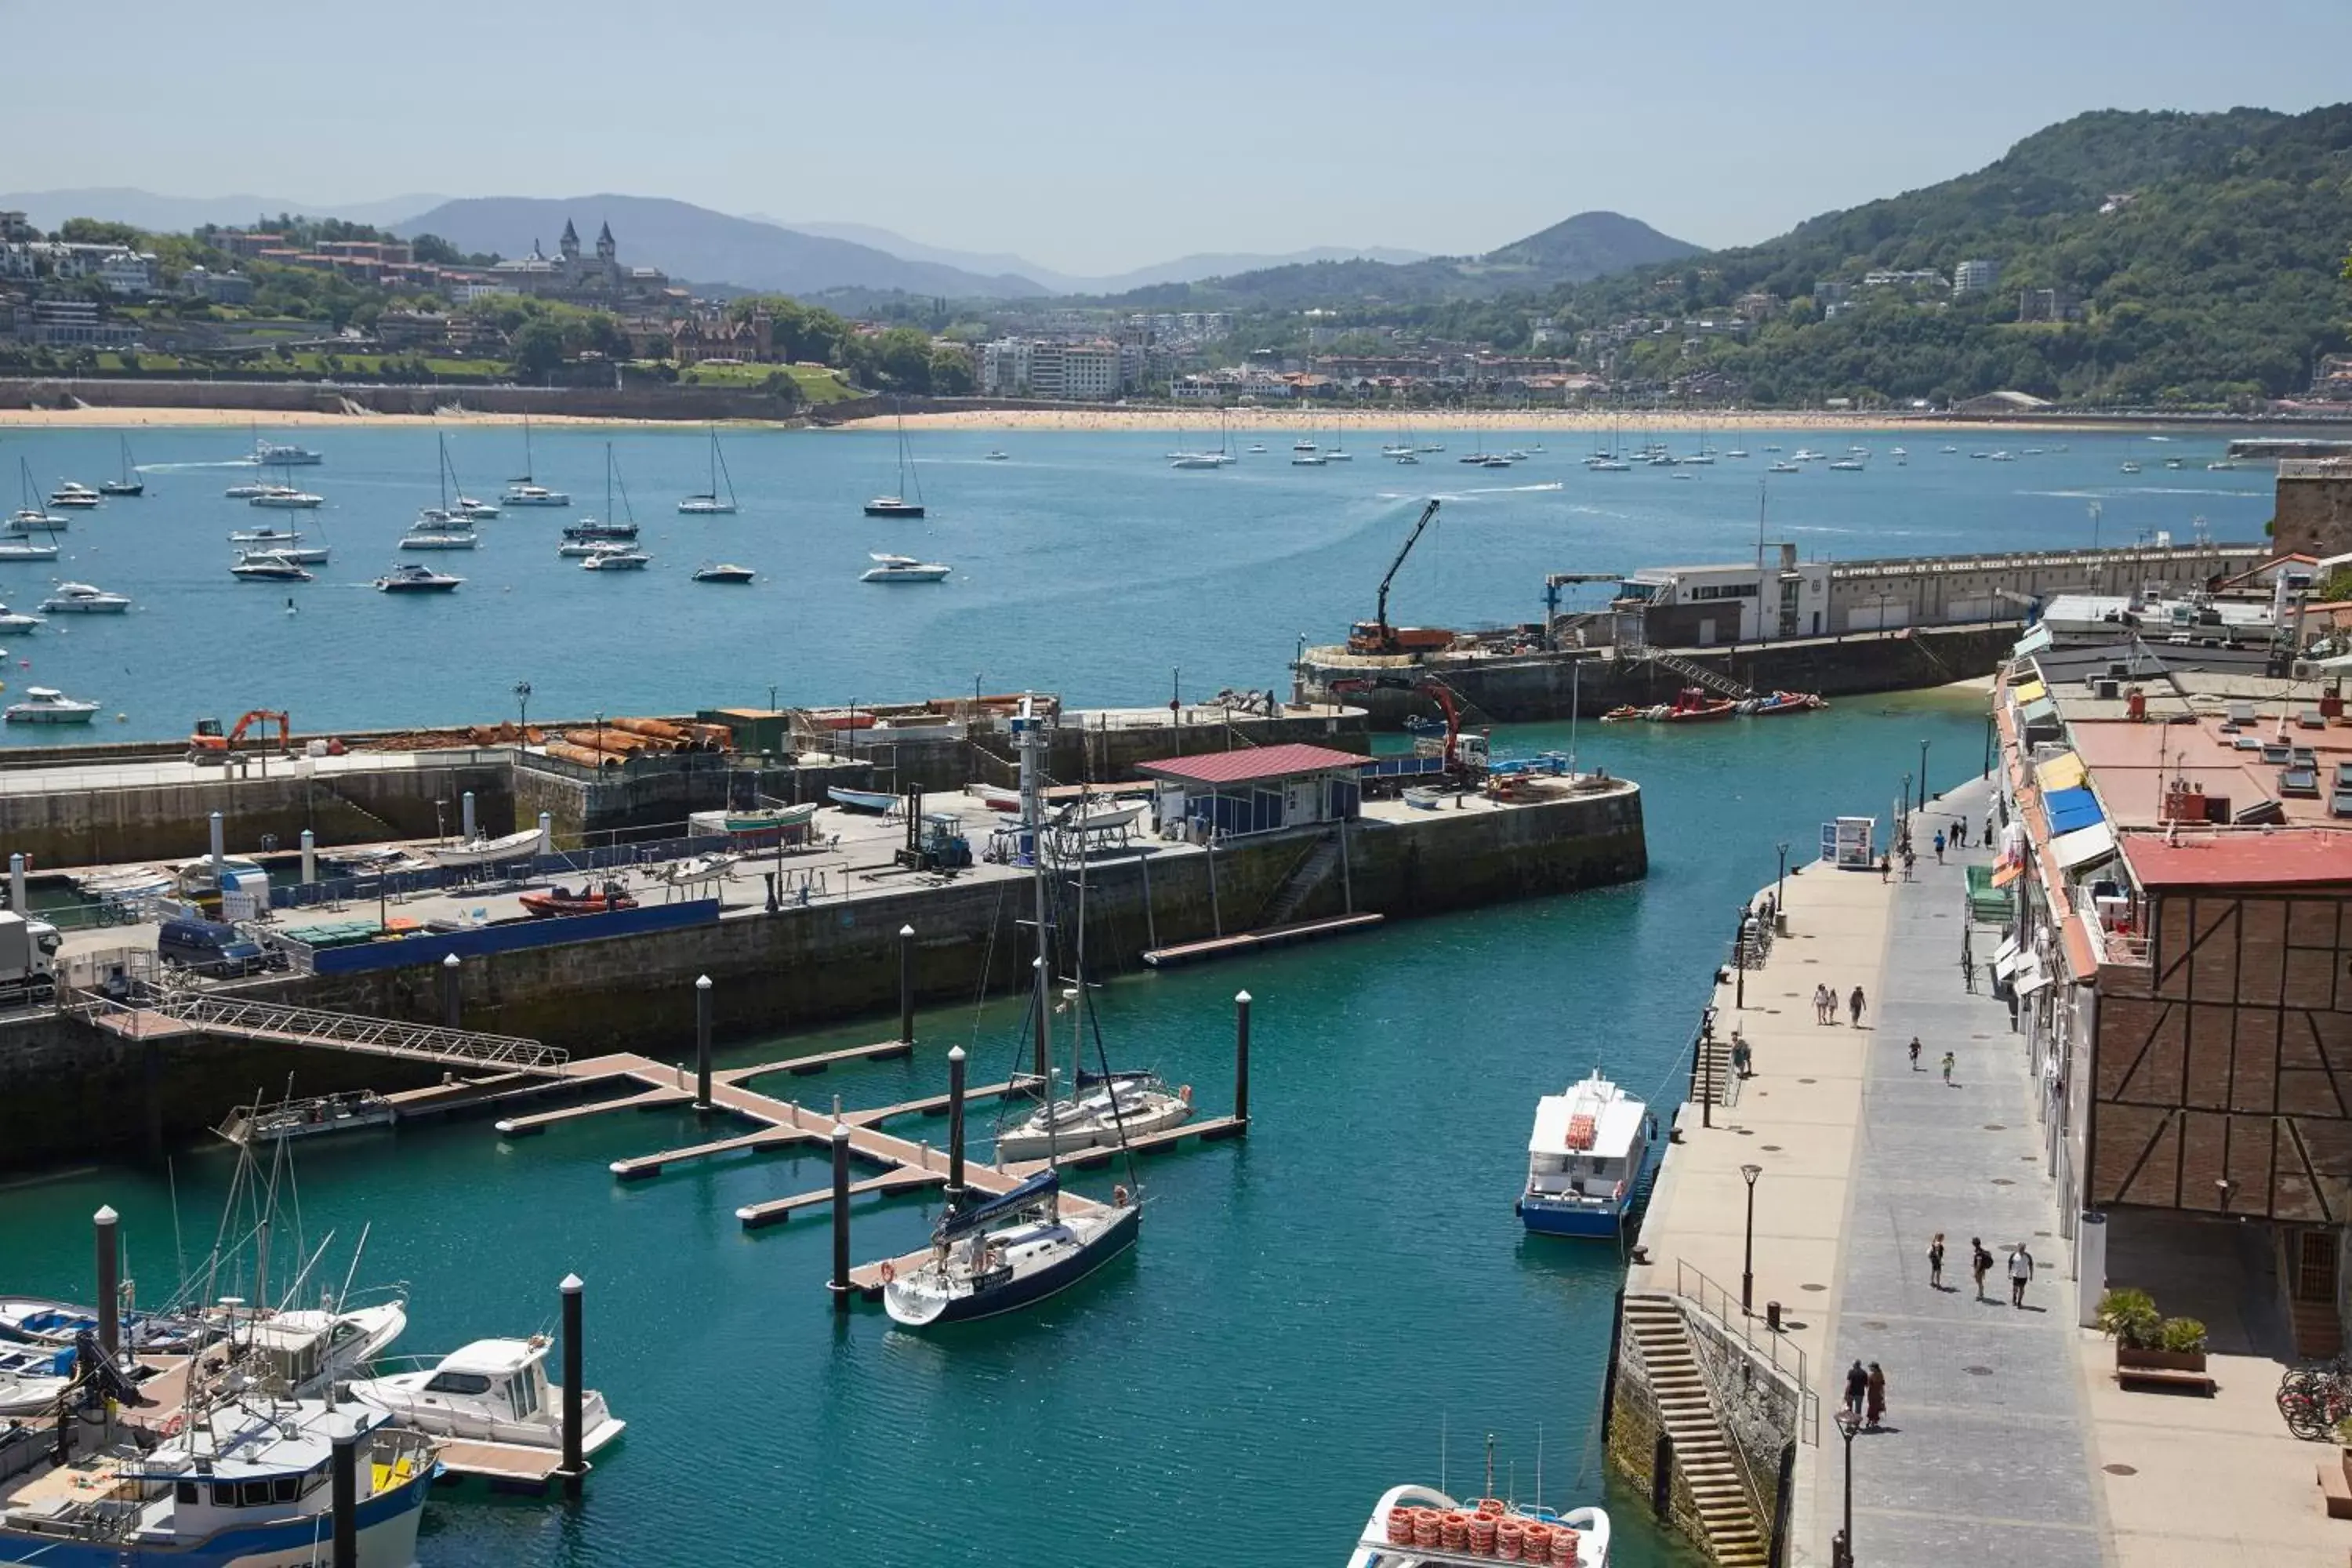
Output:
(154, 1014)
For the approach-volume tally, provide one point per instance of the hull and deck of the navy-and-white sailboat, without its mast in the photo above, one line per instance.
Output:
(1010, 1252)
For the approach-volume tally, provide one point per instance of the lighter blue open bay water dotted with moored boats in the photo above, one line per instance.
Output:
(1083, 565)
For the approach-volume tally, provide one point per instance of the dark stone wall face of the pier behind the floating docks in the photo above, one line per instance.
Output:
(72, 1092)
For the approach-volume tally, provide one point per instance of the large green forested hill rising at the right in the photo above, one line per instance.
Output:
(2186, 260)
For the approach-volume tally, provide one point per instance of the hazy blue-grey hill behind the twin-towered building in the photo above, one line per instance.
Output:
(702, 246)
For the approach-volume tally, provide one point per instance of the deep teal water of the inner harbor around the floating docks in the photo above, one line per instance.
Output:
(1307, 1313)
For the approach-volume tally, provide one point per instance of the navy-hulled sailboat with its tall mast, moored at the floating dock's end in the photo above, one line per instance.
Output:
(1020, 1247)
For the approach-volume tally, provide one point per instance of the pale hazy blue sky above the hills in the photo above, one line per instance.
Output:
(1100, 135)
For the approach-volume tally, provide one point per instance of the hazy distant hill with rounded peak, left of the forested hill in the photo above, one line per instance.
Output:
(1582, 248)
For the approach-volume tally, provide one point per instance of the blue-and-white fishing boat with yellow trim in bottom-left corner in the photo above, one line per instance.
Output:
(241, 1480)
